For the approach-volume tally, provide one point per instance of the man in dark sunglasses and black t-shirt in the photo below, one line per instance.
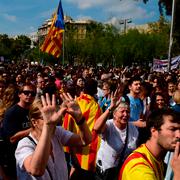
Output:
(16, 125)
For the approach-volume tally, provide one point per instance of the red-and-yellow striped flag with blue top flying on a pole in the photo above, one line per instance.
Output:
(54, 40)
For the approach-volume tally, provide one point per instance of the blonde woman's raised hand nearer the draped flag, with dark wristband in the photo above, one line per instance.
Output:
(72, 107)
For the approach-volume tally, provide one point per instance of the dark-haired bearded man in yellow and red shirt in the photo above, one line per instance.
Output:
(147, 161)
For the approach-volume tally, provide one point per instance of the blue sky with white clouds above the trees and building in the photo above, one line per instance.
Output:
(25, 16)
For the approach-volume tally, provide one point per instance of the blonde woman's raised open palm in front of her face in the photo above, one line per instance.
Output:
(48, 110)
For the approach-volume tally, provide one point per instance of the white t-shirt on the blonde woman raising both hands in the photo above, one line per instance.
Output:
(57, 168)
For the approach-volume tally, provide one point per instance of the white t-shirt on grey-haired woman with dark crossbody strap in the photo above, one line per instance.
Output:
(112, 144)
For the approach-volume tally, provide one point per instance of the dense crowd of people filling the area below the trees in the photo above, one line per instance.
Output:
(93, 123)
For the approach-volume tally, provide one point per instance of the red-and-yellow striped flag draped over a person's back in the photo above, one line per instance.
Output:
(86, 156)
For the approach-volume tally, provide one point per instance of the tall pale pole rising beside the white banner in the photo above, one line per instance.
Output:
(171, 36)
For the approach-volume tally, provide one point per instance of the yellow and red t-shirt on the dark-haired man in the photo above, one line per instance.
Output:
(142, 165)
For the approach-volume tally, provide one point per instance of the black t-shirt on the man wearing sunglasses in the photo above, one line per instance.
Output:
(15, 120)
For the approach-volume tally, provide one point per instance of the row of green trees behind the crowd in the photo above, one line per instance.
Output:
(102, 43)
